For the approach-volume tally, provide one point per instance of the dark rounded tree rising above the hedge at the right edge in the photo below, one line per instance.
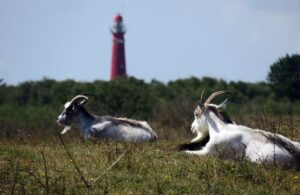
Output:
(284, 77)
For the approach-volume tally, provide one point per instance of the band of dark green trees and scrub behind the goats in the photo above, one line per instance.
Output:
(35, 105)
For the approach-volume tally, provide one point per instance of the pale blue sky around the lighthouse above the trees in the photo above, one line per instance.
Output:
(165, 40)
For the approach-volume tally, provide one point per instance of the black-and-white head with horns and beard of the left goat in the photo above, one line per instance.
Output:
(70, 112)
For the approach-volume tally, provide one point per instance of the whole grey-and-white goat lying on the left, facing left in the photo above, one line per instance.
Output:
(104, 127)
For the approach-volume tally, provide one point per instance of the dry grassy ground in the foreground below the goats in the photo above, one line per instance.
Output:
(32, 165)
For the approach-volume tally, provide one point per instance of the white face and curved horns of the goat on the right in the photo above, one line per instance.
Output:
(199, 124)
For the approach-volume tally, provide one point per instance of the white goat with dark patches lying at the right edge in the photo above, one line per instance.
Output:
(220, 137)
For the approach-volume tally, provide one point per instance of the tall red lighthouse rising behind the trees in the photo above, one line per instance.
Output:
(118, 65)
